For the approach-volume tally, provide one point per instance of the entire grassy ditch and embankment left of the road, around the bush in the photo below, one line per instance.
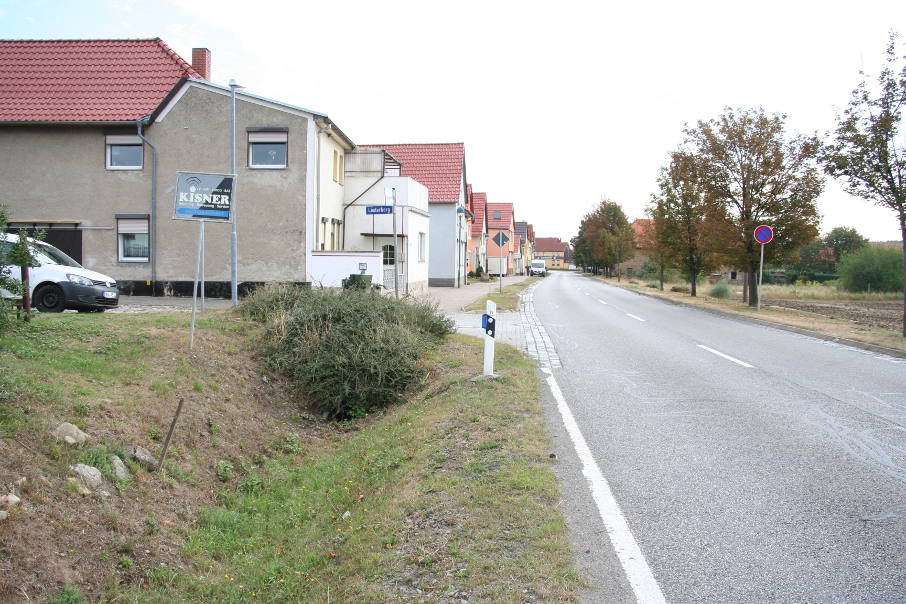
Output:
(450, 493)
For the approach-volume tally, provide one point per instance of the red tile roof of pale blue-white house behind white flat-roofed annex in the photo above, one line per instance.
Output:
(438, 166)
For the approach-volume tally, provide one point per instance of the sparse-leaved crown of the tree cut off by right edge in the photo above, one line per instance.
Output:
(868, 154)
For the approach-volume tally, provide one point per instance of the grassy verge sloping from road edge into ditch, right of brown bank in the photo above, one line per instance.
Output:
(451, 494)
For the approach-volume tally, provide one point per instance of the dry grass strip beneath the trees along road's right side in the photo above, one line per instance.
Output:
(820, 323)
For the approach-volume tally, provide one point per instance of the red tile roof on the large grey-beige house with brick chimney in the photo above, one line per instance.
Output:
(86, 80)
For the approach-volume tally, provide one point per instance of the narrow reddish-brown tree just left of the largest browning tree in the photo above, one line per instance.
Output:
(689, 222)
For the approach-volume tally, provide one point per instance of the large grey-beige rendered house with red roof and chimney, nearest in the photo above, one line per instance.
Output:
(93, 133)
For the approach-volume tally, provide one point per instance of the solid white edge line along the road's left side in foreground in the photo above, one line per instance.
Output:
(638, 573)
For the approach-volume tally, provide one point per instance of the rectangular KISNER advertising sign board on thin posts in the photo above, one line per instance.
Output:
(201, 196)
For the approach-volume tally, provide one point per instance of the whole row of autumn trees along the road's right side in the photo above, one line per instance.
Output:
(742, 169)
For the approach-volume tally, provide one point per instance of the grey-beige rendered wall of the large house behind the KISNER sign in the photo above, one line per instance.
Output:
(55, 173)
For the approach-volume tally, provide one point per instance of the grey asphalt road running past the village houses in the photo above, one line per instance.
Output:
(751, 464)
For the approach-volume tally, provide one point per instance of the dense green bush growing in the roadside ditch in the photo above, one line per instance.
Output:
(348, 351)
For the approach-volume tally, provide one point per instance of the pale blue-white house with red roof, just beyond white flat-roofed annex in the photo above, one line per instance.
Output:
(440, 167)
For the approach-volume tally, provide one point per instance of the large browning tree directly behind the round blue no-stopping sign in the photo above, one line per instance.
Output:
(755, 175)
